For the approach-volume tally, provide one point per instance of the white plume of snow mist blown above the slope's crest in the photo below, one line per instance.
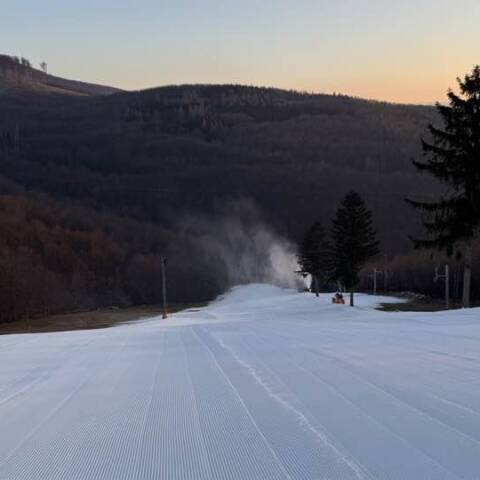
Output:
(240, 247)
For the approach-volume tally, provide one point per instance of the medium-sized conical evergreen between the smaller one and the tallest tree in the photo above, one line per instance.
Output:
(354, 241)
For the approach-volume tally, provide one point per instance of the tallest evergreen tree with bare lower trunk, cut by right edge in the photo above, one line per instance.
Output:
(453, 157)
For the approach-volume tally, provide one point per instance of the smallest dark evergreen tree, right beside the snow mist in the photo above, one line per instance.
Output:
(313, 255)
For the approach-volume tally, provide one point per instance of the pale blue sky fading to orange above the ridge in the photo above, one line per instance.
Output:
(408, 51)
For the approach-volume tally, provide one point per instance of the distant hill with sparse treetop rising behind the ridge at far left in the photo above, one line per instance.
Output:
(19, 74)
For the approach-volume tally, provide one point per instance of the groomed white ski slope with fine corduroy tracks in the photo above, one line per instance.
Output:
(263, 384)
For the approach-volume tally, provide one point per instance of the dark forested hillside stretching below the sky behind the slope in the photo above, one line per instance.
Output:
(94, 187)
